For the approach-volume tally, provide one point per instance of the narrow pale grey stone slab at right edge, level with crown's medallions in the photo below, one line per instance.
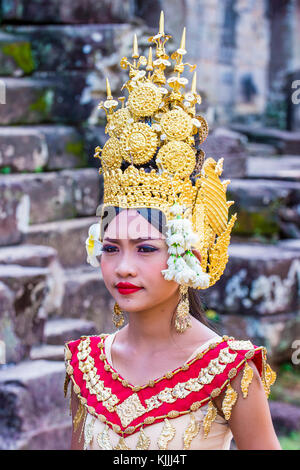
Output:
(283, 167)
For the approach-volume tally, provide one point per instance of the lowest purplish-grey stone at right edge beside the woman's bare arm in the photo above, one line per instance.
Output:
(285, 417)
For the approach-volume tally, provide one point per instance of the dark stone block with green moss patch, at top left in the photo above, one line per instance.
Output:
(27, 49)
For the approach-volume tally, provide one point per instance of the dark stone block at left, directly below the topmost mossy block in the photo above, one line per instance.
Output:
(64, 99)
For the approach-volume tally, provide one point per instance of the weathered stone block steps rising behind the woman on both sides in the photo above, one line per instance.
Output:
(53, 68)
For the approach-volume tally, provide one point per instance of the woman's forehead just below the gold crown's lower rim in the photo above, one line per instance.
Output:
(129, 224)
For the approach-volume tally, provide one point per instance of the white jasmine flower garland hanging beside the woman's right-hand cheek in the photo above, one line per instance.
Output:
(184, 269)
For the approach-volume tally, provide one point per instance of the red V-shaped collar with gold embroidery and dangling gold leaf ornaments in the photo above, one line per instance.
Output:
(127, 409)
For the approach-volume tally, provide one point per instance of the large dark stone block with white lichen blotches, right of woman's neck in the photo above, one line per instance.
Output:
(258, 297)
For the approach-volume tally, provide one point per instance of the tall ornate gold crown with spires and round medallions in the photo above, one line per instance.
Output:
(151, 160)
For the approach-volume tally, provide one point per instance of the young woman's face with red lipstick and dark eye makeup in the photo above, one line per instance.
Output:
(126, 258)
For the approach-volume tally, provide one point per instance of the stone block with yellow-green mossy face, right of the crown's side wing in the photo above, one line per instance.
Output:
(257, 202)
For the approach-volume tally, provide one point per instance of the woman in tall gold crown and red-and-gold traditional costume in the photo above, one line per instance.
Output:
(166, 380)
